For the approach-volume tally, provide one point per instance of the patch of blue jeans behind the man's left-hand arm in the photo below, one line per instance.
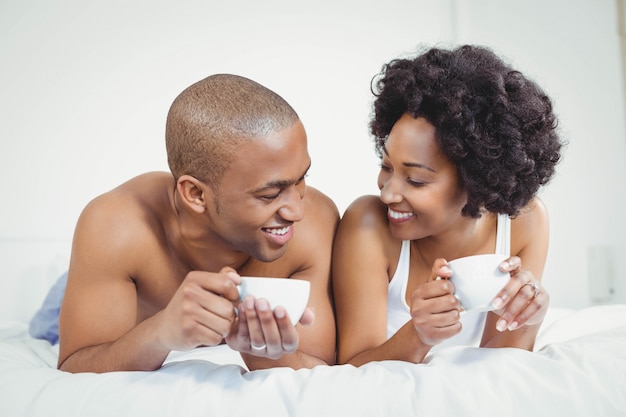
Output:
(45, 322)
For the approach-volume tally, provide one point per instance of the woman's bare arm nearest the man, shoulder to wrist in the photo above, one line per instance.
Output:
(360, 285)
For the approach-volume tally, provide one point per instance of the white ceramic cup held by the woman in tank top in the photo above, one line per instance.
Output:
(477, 280)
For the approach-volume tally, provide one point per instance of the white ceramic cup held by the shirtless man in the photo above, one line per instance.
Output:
(291, 294)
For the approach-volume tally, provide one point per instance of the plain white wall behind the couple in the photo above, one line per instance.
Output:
(85, 87)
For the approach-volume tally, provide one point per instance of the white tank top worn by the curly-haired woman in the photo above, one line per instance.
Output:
(398, 312)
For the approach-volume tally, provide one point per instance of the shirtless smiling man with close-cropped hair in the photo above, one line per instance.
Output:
(155, 262)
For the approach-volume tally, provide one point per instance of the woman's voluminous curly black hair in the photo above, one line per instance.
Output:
(496, 125)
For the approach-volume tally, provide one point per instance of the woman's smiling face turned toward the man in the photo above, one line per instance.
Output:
(419, 185)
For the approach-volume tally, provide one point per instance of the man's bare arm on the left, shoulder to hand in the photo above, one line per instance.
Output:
(101, 328)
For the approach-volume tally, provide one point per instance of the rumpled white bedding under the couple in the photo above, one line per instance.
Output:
(578, 369)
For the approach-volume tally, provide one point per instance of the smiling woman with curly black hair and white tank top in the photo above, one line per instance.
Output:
(465, 143)
